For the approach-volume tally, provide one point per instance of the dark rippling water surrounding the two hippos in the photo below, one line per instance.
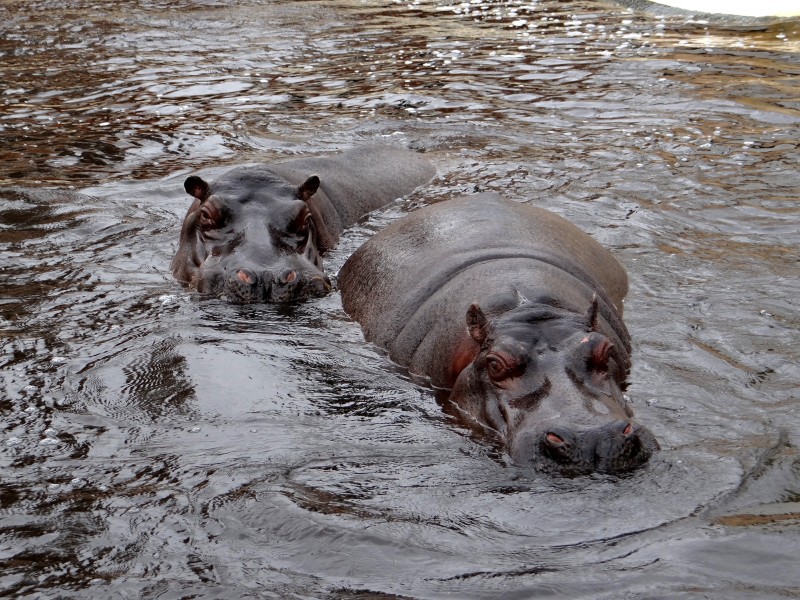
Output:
(157, 445)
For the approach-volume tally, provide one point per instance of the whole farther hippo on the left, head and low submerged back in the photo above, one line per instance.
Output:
(258, 233)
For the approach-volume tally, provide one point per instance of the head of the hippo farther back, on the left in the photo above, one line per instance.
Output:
(252, 237)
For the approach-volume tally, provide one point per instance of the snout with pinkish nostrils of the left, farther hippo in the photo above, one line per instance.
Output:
(245, 286)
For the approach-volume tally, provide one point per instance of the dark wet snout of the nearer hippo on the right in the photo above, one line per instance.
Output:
(614, 447)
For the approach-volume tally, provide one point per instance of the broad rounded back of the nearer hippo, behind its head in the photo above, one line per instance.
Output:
(410, 285)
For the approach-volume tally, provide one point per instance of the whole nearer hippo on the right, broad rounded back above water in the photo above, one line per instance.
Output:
(517, 312)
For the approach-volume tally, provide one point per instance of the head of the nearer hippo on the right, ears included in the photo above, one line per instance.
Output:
(546, 385)
